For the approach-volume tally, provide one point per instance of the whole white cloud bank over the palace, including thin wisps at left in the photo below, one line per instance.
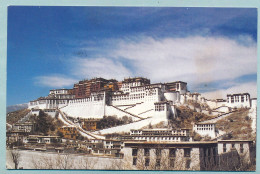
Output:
(195, 60)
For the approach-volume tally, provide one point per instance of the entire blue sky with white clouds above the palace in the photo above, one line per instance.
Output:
(213, 49)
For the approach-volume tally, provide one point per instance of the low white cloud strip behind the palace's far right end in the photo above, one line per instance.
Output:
(250, 88)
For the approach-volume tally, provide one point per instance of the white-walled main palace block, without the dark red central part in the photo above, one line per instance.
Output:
(136, 98)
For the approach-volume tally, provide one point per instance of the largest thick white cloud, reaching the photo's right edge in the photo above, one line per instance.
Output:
(201, 59)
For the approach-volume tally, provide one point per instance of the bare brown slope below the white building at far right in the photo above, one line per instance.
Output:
(238, 123)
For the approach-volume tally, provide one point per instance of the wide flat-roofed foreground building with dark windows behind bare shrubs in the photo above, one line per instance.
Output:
(169, 155)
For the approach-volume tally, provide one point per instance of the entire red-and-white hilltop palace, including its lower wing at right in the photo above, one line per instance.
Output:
(133, 97)
